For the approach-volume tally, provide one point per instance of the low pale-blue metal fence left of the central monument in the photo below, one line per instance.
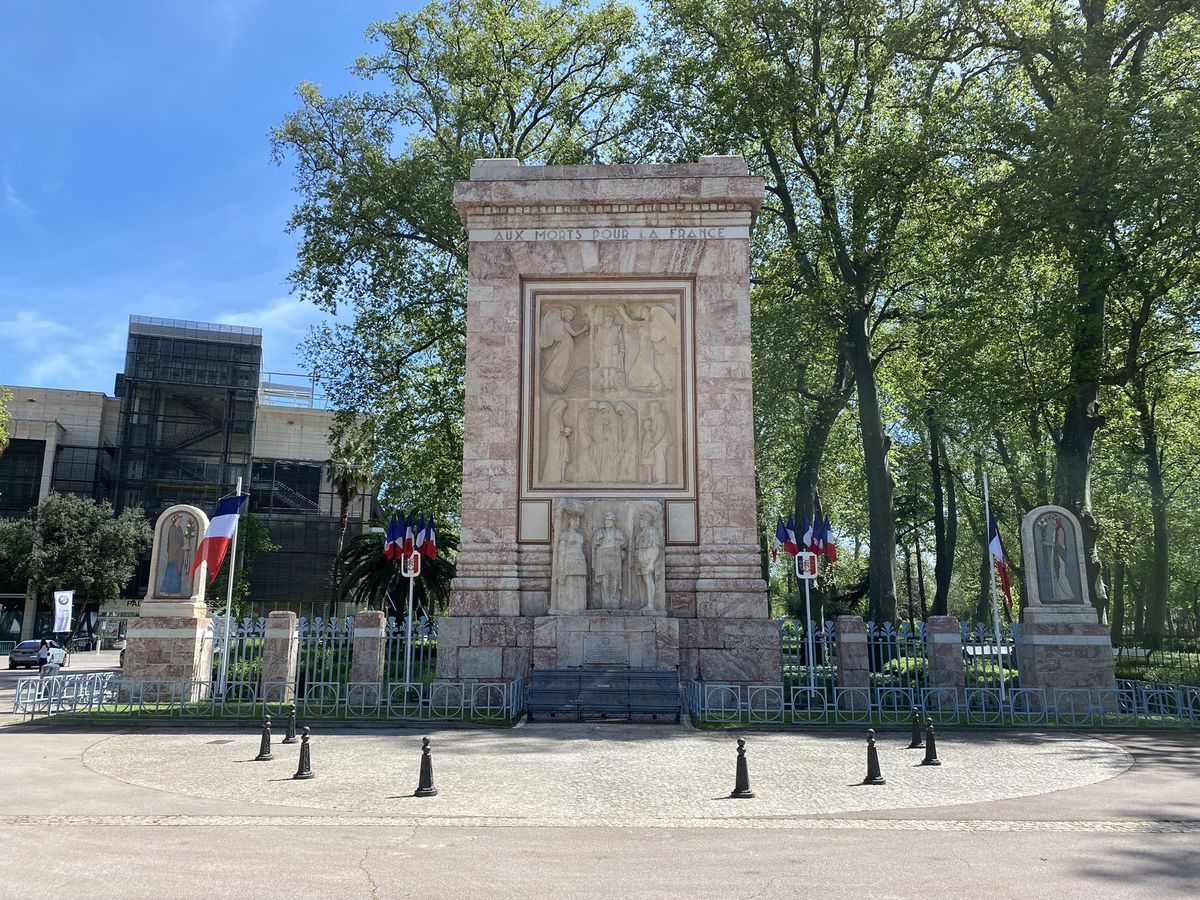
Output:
(100, 695)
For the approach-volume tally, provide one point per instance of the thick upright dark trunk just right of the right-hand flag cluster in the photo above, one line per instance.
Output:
(881, 566)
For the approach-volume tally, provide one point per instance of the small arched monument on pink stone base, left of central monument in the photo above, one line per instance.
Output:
(166, 644)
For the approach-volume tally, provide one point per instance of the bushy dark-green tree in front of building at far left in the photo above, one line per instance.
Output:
(71, 543)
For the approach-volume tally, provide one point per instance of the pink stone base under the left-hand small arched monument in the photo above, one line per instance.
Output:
(167, 650)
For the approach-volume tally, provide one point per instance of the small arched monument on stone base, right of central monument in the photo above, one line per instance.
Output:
(1061, 643)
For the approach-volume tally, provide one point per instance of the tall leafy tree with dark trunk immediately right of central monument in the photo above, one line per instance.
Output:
(851, 112)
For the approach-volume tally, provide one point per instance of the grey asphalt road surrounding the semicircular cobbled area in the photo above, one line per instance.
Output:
(92, 836)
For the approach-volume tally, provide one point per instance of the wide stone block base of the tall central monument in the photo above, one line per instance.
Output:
(479, 649)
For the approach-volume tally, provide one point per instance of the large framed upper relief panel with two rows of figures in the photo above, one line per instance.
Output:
(608, 404)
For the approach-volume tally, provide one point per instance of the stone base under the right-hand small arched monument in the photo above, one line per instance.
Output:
(1065, 649)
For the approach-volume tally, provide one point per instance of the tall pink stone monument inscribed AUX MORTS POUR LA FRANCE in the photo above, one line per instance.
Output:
(609, 514)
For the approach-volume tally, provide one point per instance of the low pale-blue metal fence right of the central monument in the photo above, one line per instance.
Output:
(1132, 705)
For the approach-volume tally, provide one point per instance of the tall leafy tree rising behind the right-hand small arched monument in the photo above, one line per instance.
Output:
(1100, 152)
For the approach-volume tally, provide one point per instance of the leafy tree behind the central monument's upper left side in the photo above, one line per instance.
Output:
(380, 237)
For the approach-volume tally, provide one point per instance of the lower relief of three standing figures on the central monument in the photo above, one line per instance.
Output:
(608, 556)
